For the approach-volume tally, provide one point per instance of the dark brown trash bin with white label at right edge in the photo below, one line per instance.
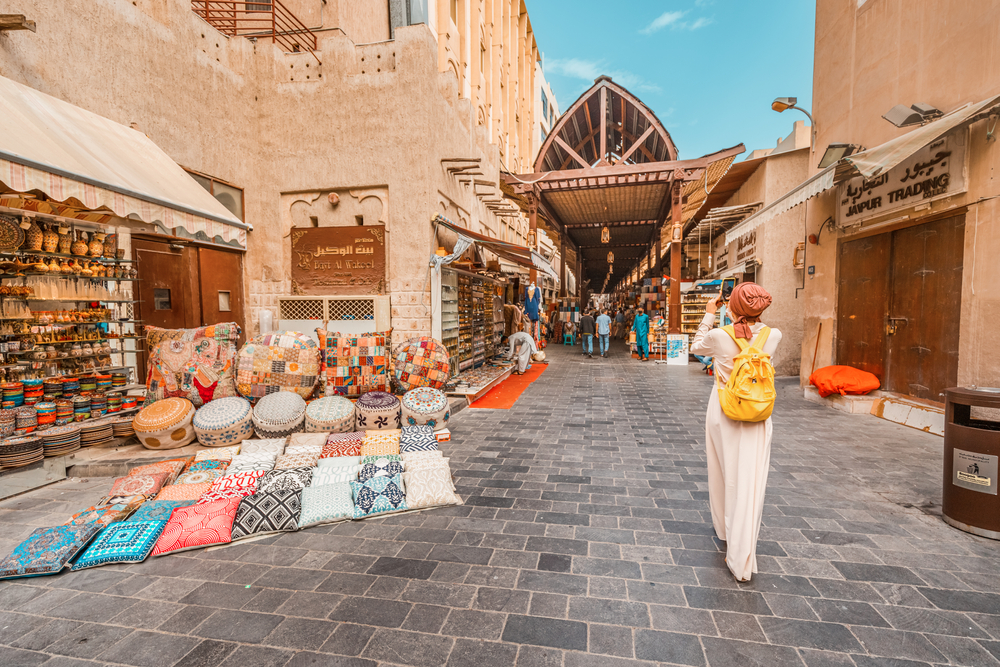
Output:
(971, 452)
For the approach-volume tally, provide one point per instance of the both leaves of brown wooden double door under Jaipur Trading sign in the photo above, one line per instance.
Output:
(899, 307)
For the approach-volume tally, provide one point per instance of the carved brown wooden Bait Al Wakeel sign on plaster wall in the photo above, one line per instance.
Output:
(338, 260)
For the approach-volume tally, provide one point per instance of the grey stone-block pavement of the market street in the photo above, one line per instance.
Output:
(585, 540)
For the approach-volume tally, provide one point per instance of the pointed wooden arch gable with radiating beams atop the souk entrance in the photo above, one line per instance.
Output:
(607, 125)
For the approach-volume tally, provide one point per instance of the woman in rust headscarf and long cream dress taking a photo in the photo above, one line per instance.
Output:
(739, 452)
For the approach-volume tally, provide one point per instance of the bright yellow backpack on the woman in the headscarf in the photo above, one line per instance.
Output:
(748, 395)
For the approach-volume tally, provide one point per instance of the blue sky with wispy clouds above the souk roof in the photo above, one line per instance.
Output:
(709, 69)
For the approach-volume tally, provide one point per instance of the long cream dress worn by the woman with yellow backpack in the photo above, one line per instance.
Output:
(738, 455)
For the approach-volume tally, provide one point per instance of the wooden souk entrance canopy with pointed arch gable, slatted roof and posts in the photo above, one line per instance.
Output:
(608, 179)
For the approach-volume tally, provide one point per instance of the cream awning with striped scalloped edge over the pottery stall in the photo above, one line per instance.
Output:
(72, 155)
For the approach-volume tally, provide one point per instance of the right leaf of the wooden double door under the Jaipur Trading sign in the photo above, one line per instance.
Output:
(925, 307)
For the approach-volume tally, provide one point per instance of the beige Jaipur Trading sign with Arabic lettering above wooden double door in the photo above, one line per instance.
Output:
(937, 170)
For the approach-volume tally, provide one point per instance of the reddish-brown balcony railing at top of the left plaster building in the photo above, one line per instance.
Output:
(261, 19)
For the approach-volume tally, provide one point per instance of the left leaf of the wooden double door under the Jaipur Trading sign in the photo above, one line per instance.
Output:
(861, 303)
